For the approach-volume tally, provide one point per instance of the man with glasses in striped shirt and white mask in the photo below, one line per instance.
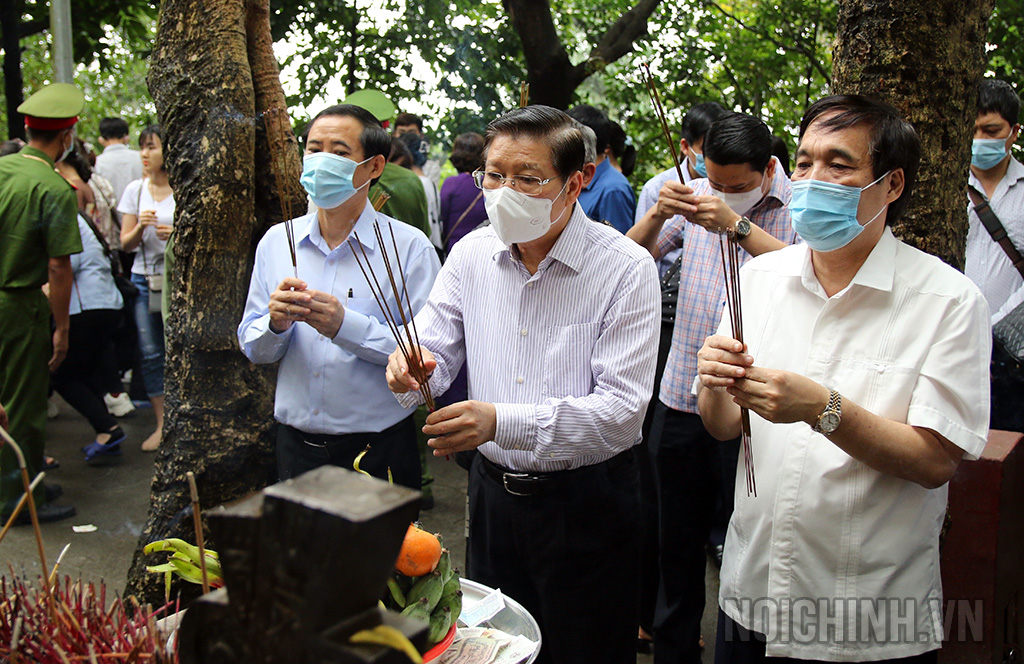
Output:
(558, 317)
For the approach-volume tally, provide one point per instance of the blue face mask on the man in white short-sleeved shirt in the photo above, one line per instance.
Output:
(825, 215)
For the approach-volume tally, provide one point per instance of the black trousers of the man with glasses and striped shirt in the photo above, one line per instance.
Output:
(569, 555)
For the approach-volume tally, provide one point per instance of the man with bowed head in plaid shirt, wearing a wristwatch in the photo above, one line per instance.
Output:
(746, 196)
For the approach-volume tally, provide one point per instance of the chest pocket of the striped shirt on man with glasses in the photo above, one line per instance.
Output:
(568, 357)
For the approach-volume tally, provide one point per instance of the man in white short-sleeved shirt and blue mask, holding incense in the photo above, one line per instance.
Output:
(866, 370)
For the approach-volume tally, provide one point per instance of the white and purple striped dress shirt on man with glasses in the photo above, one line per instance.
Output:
(567, 355)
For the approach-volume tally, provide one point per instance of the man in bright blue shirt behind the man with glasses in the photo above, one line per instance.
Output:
(609, 197)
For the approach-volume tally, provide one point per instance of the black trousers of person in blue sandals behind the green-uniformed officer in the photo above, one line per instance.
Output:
(90, 370)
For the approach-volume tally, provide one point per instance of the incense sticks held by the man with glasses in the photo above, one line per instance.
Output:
(411, 340)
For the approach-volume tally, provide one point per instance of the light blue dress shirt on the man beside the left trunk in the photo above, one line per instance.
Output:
(335, 386)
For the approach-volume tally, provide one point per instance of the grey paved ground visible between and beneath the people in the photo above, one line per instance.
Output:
(115, 500)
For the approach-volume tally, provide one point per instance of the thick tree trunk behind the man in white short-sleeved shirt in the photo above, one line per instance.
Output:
(926, 58)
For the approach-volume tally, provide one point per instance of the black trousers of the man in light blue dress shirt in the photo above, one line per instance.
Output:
(394, 448)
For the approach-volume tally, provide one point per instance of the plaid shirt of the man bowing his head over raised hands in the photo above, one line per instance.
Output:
(702, 283)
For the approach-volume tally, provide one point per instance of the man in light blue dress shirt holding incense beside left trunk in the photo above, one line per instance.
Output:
(325, 326)
